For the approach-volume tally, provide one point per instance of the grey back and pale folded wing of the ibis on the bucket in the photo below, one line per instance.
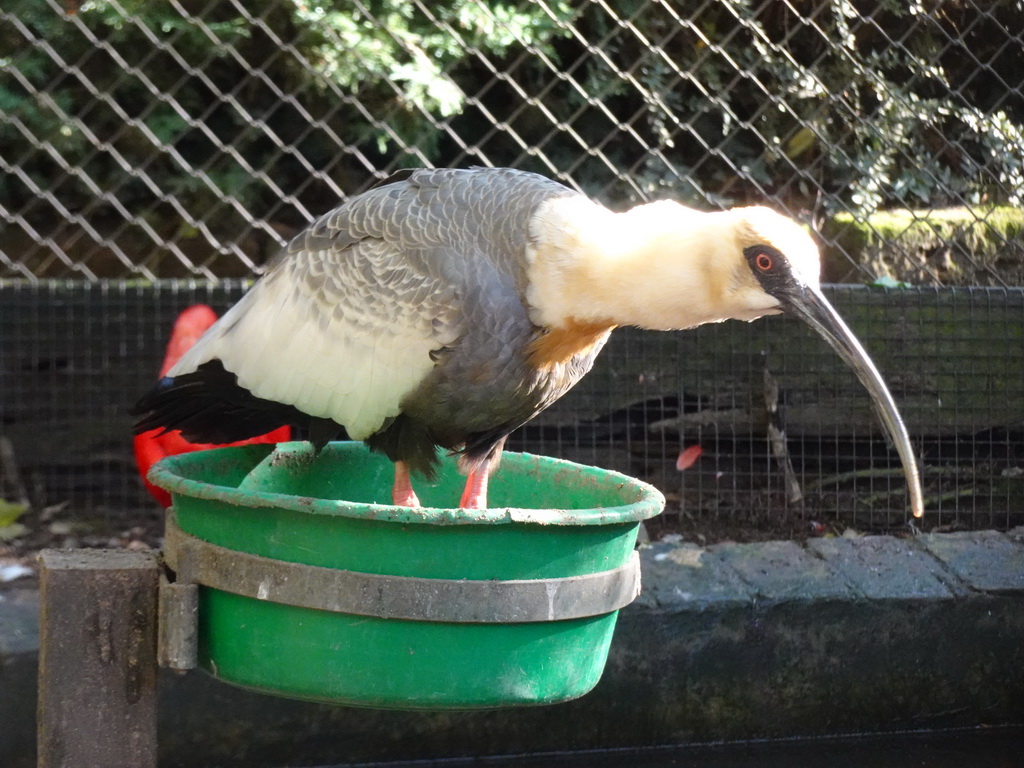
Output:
(352, 322)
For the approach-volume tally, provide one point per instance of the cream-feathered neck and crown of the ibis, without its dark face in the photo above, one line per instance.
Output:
(660, 266)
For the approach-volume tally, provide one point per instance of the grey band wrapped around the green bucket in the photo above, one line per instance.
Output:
(456, 601)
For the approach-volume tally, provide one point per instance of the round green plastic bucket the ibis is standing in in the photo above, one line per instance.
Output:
(549, 520)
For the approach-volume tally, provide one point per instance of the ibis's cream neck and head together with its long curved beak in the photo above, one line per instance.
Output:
(666, 267)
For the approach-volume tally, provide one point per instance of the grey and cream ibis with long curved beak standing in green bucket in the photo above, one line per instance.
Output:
(444, 309)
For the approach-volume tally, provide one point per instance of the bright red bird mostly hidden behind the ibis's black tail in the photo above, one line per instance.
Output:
(155, 445)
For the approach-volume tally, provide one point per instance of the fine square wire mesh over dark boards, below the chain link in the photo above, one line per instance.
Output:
(76, 355)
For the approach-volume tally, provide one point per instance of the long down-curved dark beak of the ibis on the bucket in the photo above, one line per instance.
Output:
(809, 305)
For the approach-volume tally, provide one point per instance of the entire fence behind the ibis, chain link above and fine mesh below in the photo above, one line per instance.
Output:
(185, 142)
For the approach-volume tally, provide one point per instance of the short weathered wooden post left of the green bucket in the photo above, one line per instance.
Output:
(98, 659)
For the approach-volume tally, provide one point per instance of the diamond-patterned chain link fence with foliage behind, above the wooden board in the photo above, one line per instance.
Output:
(162, 140)
